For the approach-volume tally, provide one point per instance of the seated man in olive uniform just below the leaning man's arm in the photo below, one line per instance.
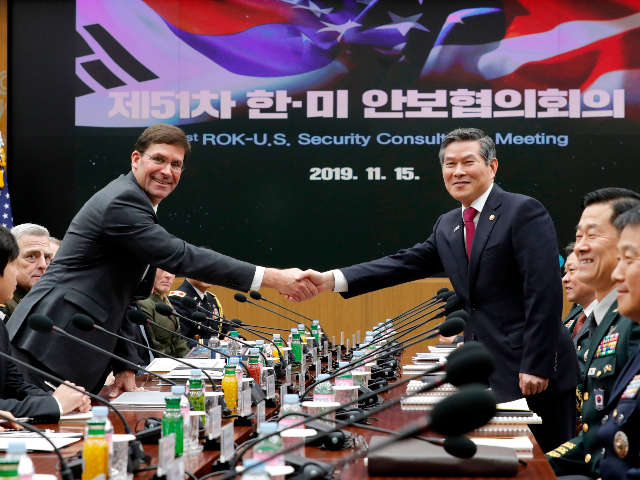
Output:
(159, 339)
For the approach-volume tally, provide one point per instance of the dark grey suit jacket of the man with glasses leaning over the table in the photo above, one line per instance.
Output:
(99, 268)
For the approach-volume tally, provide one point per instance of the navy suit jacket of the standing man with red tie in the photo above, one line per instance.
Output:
(511, 288)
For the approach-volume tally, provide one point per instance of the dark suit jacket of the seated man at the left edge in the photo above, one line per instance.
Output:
(20, 398)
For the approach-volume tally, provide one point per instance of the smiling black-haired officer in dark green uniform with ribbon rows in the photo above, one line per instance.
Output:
(613, 338)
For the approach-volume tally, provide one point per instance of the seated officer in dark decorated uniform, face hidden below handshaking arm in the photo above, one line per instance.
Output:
(208, 304)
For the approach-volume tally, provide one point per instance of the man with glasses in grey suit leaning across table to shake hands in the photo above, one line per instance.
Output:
(109, 255)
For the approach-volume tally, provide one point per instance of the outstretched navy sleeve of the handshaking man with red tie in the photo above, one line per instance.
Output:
(405, 266)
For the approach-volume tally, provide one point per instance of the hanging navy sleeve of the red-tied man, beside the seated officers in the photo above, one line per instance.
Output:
(536, 251)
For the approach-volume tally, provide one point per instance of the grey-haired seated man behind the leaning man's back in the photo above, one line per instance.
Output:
(33, 260)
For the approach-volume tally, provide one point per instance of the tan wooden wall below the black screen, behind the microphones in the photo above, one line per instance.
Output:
(336, 314)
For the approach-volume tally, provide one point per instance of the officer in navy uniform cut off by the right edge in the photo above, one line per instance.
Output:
(619, 435)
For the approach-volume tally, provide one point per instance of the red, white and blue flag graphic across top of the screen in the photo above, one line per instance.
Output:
(300, 45)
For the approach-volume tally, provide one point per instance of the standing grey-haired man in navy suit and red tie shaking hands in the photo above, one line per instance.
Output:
(500, 253)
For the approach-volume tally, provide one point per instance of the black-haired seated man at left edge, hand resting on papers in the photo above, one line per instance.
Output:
(16, 396)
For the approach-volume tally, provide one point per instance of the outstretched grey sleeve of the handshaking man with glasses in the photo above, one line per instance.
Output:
(131, 226)
